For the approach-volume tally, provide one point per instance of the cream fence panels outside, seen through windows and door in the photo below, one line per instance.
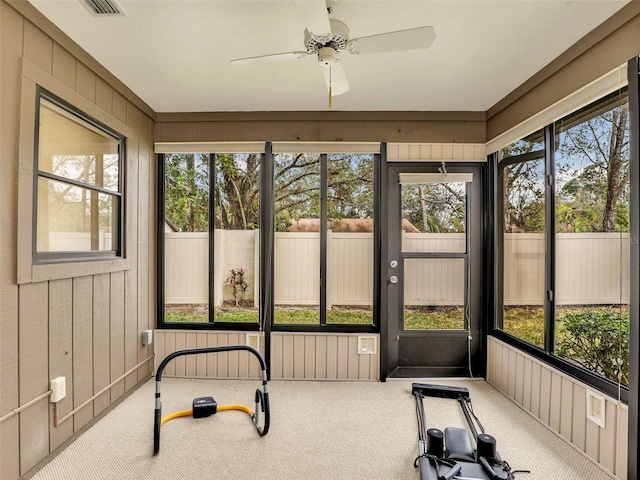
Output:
(591, 268)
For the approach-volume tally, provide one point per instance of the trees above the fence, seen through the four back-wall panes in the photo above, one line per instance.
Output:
(236, 189)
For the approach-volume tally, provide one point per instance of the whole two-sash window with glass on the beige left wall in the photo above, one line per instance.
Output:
(79, 193)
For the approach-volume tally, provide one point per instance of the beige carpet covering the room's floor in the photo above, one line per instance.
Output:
(319, 430)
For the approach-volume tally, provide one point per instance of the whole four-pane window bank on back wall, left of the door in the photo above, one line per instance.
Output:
(267, 240)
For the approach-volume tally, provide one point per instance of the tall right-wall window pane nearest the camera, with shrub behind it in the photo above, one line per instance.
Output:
(592, 238)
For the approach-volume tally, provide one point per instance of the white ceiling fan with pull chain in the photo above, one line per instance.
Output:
(326, 37)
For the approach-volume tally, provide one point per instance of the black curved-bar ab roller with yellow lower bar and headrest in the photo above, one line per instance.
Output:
(206, 406)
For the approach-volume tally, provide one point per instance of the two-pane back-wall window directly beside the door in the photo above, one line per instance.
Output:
(324, 240)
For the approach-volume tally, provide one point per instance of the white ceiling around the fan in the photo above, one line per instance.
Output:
(175, 54)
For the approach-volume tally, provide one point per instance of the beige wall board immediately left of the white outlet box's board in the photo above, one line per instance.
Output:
(33, 368)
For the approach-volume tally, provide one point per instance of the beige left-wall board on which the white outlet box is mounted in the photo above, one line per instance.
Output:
(61, 353)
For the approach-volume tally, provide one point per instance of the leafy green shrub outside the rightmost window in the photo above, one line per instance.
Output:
(597, 340)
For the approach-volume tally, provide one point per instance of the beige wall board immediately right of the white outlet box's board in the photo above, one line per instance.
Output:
(82, 349)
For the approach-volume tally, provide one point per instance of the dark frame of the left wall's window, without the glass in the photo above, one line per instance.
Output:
(42, 257)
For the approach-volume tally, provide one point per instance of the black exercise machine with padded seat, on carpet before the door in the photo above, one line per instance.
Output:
(450, 455)
